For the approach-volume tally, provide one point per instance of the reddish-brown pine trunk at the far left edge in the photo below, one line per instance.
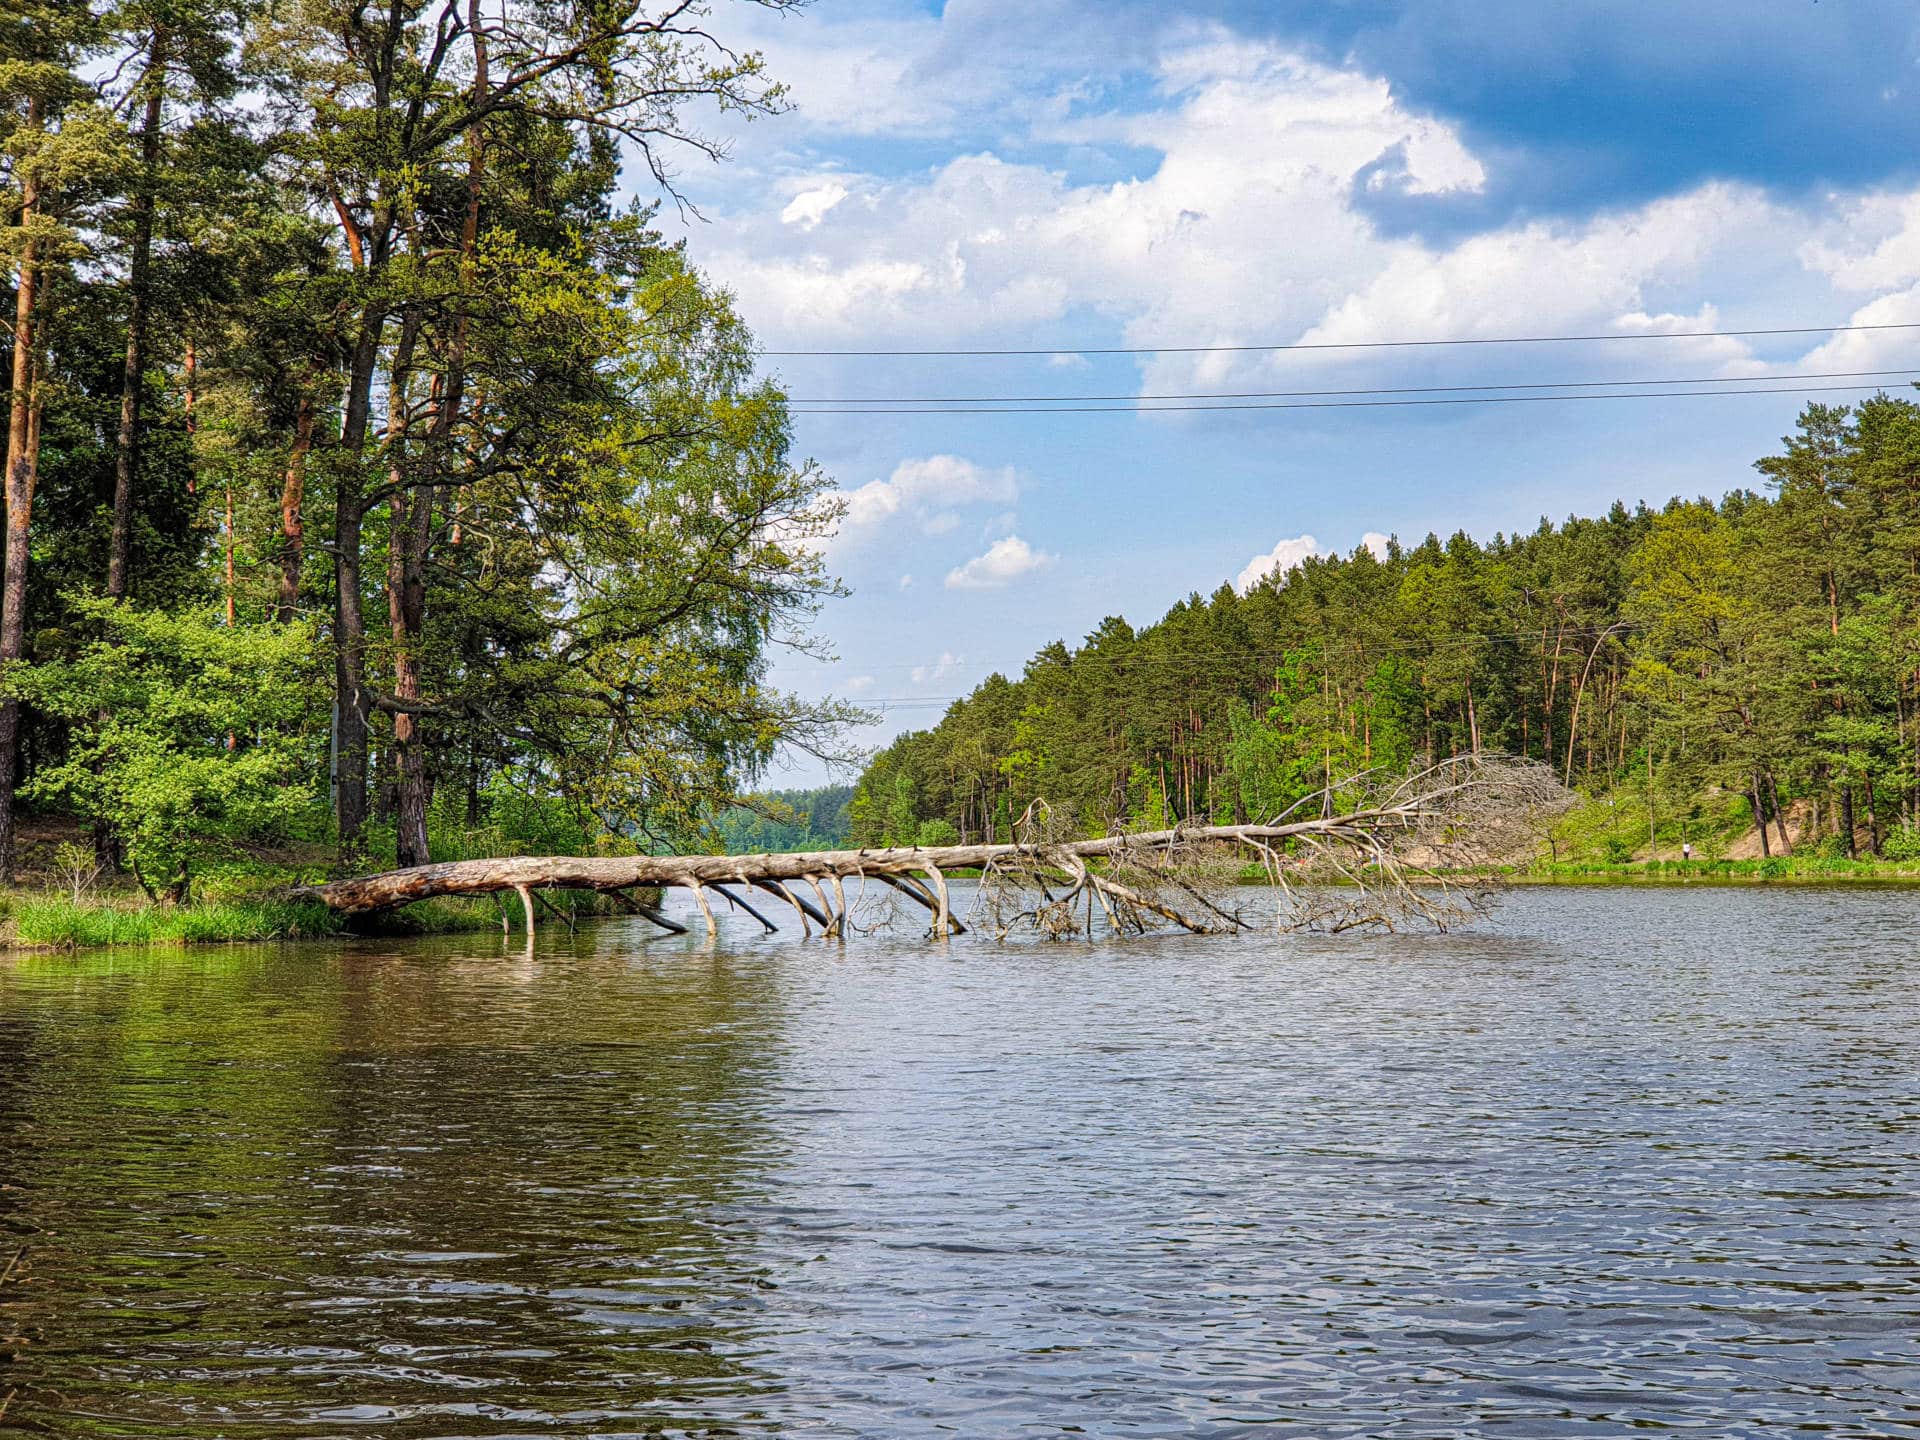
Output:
(22, 471)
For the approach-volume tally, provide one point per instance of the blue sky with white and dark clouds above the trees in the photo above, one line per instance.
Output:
(1070, 176)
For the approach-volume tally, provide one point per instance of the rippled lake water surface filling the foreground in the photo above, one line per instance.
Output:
(1618, 1161)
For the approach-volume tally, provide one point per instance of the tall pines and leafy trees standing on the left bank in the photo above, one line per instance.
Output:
(372, 466)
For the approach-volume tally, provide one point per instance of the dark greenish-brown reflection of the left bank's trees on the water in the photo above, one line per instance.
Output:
(444, 1193)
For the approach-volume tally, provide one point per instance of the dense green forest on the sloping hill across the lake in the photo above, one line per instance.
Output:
(1691, 663)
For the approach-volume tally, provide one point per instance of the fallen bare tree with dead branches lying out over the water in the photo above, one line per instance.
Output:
(1454, 813)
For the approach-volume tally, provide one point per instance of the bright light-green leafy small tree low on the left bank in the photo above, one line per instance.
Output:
(185, 734)
